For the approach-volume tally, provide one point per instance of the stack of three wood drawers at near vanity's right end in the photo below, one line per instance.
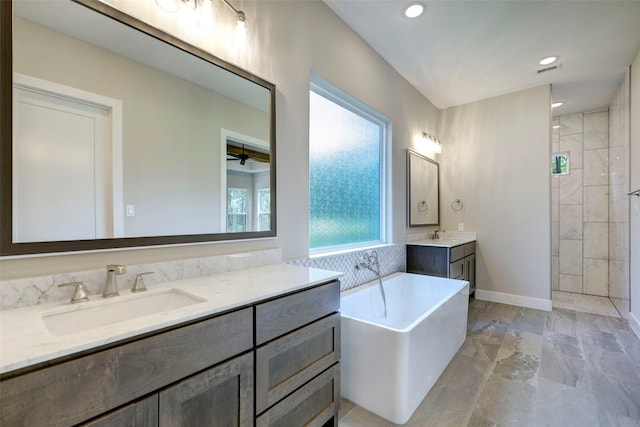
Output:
(297, 355)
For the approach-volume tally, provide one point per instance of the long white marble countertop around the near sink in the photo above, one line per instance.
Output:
(25, 340)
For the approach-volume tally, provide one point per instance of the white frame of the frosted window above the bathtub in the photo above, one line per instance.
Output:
(325, 89)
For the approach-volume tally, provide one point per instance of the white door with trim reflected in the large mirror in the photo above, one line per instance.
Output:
(61, 175)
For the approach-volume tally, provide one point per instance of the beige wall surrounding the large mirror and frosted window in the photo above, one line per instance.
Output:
(287, 40)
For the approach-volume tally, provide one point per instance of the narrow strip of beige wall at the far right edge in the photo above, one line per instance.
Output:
(634, 217)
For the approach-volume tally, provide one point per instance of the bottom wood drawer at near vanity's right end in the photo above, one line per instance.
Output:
(311, 406)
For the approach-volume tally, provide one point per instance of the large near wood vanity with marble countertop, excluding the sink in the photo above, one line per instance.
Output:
(261, 347)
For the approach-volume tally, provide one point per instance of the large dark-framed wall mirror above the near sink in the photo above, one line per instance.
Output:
(115, 134)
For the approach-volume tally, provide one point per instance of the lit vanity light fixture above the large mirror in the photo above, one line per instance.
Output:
(207, 18)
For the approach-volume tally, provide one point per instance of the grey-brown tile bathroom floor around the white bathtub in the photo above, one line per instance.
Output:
(526, 367)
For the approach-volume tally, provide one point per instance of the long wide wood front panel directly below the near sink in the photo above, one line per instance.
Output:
(94, 384)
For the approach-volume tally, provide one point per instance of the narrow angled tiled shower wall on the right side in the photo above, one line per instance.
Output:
(618, 199)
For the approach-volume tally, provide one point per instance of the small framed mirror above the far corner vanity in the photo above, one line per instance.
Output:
(423, 190)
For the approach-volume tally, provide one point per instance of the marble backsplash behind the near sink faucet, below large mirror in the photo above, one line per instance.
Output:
(39, 290)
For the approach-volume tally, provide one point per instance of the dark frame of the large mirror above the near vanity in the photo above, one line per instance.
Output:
(7, 247)
